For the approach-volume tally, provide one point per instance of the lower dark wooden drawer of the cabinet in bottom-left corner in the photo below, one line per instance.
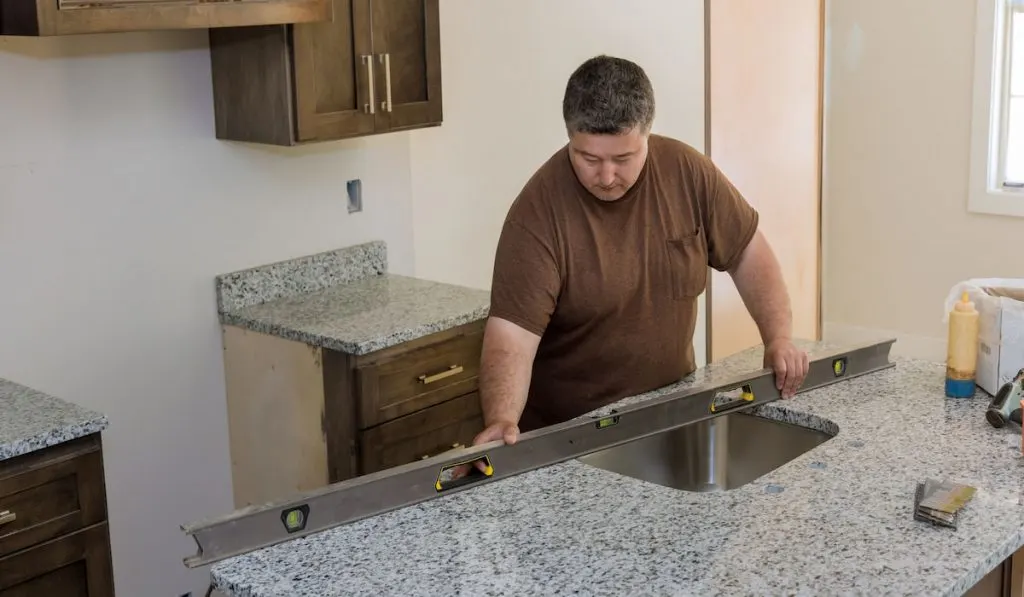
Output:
(74, 566)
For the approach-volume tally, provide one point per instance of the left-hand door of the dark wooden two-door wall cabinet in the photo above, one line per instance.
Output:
(334, 69)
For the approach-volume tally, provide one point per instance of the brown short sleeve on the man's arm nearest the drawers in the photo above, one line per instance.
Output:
(526, 283)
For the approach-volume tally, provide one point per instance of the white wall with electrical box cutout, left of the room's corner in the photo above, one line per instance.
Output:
(117, 209)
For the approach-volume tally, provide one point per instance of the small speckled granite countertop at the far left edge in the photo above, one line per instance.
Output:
(31, 420)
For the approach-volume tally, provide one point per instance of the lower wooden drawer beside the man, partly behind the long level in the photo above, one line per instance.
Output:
(425, 434)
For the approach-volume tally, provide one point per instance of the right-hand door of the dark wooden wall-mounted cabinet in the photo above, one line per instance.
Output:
(407, 47)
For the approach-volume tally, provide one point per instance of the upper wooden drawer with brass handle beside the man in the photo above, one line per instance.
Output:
(421, 377)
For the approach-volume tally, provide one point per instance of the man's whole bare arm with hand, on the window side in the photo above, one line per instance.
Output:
(759, 280)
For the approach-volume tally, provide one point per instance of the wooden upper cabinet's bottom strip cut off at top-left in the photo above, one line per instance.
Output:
(55, 18)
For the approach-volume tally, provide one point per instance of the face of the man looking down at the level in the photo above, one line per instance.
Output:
(609, 165)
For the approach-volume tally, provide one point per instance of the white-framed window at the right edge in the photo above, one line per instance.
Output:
(998, 133)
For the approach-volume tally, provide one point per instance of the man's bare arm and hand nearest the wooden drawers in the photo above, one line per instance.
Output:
(506, 365)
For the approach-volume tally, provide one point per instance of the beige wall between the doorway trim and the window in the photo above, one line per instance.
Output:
(898, 140)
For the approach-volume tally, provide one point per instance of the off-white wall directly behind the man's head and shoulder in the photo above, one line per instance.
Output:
(505, 66)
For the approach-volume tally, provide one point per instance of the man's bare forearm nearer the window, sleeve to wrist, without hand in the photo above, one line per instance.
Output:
(759, 280)
